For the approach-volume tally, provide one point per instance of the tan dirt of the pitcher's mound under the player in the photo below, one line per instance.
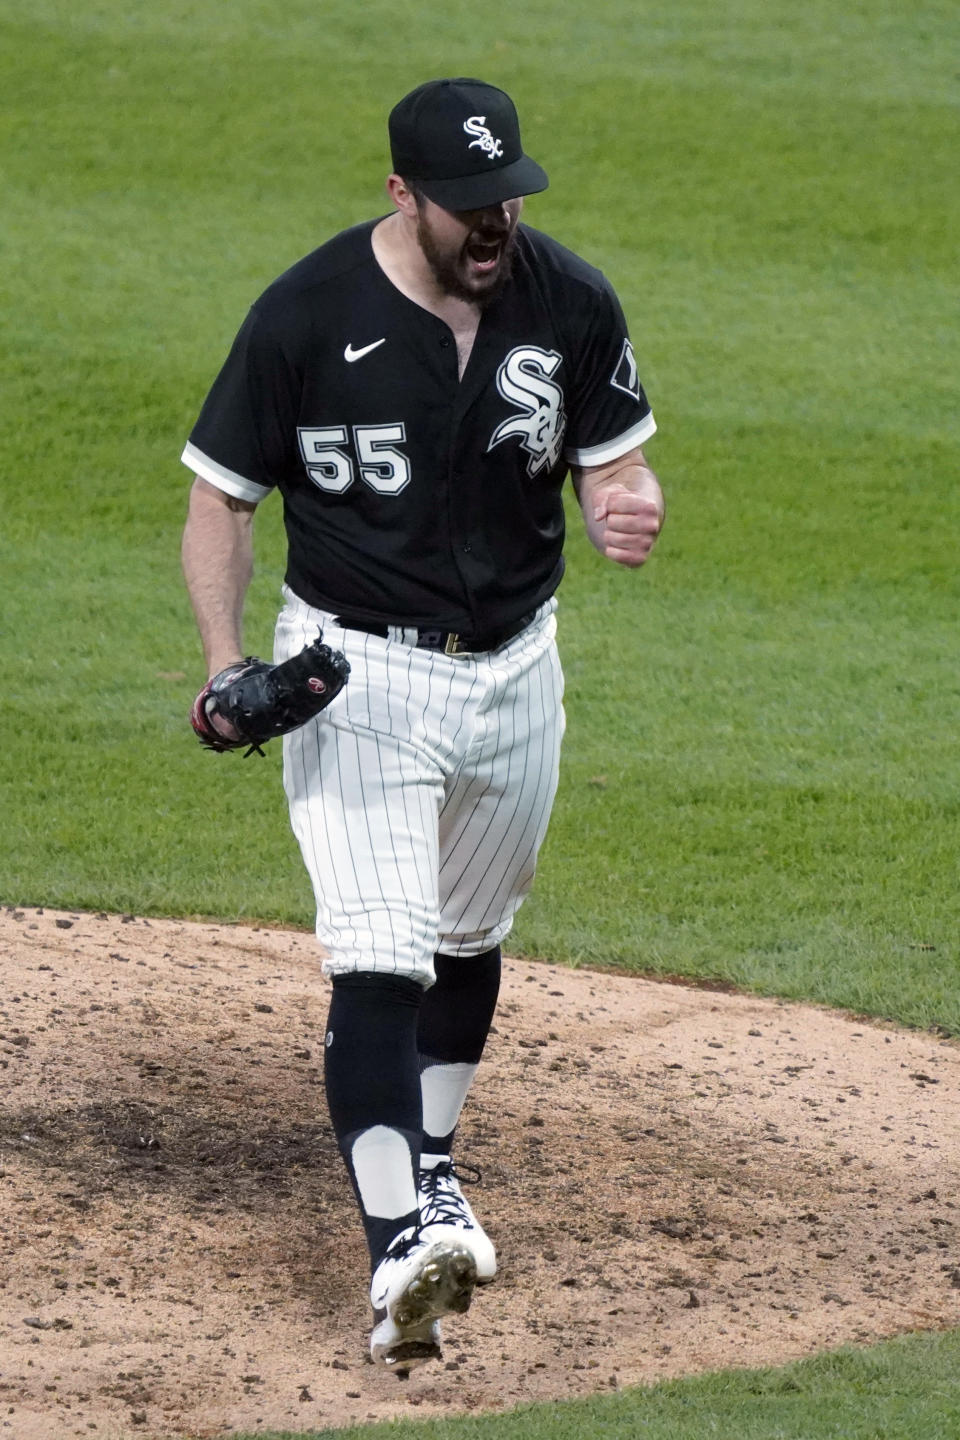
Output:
(676, 1180)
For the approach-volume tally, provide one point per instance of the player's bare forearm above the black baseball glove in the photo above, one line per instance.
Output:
(218, 564)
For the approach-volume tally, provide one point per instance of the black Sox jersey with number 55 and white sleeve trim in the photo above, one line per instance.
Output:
(412, 496)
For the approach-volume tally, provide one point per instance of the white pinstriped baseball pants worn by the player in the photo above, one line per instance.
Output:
(421, 798)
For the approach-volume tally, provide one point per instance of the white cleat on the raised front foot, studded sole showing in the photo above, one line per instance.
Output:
(417, 1282)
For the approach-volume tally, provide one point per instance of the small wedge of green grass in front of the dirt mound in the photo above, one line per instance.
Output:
(905, 1390)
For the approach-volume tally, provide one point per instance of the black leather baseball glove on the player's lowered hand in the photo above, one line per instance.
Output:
(263, 702)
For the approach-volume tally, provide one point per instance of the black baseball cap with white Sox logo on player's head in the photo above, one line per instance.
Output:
(460, 143)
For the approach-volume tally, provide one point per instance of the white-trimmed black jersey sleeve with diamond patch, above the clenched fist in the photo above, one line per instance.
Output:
(608, 413)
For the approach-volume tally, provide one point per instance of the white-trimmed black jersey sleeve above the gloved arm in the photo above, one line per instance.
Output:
(243, 440)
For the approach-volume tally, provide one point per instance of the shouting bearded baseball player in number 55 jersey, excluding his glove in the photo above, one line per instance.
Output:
(418, 391)
